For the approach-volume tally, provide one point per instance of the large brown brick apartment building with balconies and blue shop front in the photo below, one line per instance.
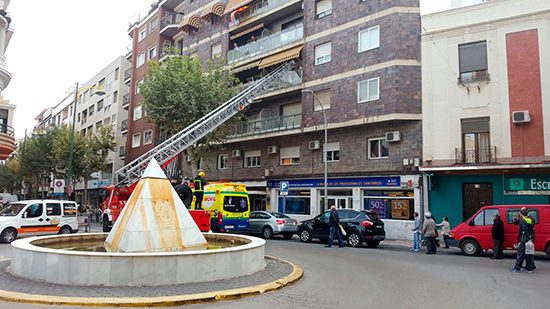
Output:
(361, 59)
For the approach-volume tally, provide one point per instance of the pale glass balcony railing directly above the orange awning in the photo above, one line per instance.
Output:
(266, 44)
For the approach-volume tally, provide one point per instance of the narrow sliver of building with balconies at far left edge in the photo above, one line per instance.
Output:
(7, 139)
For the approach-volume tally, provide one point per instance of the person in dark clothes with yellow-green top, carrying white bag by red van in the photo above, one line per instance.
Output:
(526, 234)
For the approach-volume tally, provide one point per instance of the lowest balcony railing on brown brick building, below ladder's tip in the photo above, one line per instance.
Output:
(268, 125)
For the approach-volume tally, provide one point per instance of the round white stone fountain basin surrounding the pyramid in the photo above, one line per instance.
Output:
(32, 259)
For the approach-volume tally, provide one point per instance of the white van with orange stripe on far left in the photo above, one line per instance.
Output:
(38, 217)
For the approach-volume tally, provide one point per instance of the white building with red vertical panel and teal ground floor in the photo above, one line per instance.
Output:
(486, 105)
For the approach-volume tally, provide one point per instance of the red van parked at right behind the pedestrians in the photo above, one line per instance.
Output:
(474, 235)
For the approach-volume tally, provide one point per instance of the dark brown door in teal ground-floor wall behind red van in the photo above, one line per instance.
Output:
(475, 196)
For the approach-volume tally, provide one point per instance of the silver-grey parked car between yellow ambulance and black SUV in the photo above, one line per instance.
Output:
(267, 224)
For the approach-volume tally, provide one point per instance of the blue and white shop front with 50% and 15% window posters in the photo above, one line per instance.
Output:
(394, 198)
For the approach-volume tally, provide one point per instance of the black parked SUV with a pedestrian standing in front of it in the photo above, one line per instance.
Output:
(360, 226)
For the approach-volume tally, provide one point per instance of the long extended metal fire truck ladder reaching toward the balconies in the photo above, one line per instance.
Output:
(177, 143)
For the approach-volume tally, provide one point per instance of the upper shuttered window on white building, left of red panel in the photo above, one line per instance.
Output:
(472, 58)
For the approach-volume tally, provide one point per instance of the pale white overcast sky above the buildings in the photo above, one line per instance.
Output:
(57, 43)
